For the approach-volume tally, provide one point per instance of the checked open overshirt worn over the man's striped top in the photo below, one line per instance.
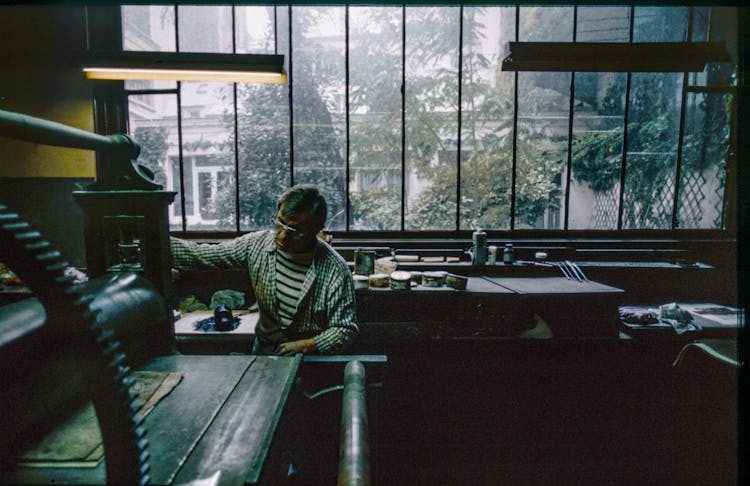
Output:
(325, 310)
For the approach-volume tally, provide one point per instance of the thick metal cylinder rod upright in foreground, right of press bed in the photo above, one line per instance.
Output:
(354, 447)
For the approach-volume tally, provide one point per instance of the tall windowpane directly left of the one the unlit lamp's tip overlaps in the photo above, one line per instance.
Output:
(431, 117)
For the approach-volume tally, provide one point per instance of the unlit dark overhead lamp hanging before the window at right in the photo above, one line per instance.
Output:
(613, 56)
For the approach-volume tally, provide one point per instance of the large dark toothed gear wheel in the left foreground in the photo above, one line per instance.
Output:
(104, 364)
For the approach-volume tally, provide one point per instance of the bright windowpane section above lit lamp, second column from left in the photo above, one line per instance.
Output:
(205, 28)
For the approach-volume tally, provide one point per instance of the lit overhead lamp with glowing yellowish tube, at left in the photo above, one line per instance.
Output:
(185, 66)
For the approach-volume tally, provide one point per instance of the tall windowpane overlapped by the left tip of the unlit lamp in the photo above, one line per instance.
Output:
(487, 119)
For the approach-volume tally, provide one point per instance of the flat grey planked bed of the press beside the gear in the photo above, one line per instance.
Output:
(217, 423)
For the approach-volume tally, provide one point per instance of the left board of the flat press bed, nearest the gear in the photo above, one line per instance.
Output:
(179, 422)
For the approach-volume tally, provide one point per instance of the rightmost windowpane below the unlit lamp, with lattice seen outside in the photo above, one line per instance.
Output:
(705, 155)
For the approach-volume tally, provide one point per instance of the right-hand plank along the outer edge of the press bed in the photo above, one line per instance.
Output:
(239, 437)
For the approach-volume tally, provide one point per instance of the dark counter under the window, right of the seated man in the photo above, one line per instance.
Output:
(492, 306)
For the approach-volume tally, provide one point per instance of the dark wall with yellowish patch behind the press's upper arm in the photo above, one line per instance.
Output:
(36, 180)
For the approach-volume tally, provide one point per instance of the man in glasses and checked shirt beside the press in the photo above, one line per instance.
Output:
(304, 289)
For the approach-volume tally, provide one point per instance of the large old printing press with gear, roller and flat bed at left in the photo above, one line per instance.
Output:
(94, 390)
